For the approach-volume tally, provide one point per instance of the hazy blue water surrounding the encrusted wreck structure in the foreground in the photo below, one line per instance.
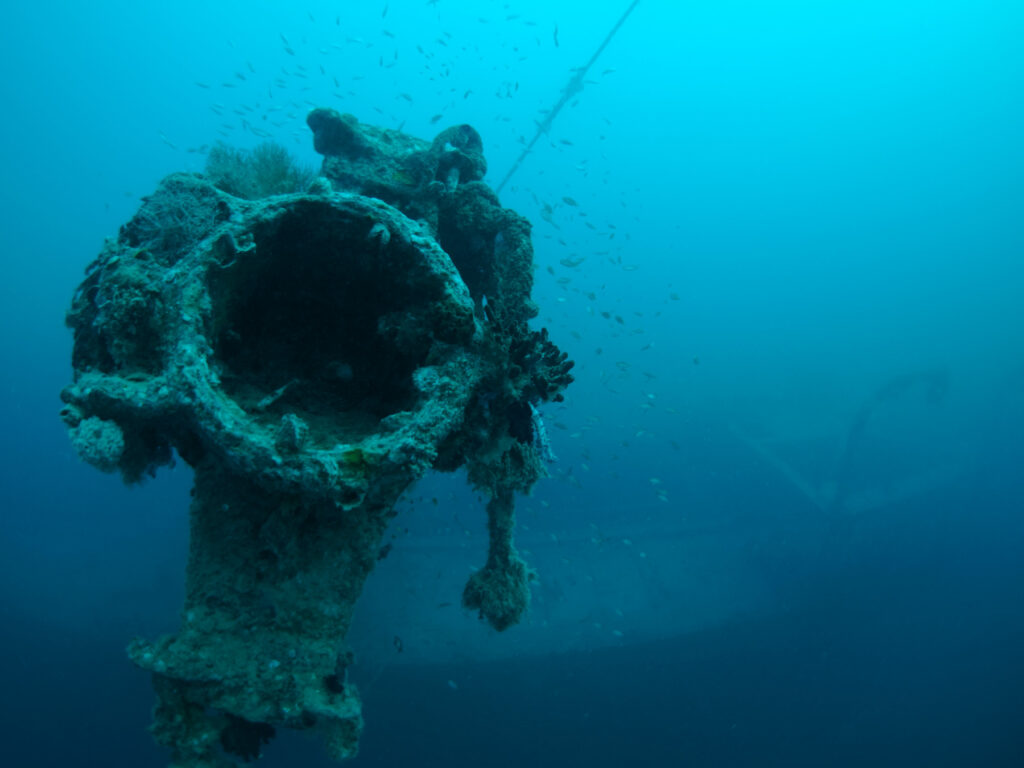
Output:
(784, 243)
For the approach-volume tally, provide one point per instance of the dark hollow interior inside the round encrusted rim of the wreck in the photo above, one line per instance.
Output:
(298, 325)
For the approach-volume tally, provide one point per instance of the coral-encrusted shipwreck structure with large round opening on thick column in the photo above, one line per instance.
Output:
(311, 356)
